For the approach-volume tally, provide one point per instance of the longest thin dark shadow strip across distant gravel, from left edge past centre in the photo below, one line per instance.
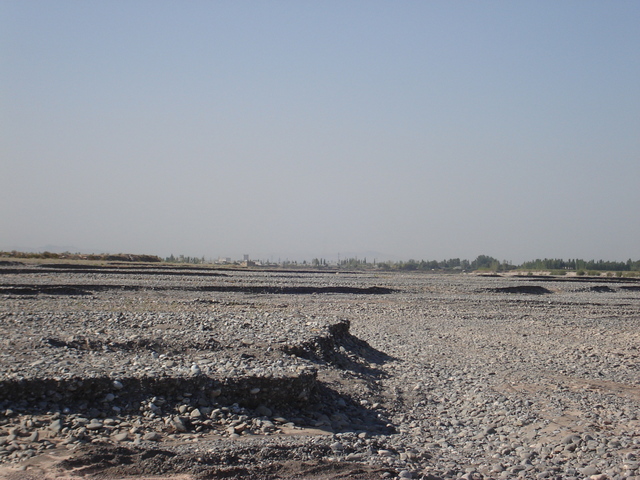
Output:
(266, 289)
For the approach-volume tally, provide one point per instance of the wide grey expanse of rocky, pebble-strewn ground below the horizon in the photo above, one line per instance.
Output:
(140, 371)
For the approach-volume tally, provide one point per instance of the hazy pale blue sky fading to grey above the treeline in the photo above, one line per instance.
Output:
(296, 129)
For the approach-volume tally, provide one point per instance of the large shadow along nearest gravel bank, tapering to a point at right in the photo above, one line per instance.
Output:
(301, 400)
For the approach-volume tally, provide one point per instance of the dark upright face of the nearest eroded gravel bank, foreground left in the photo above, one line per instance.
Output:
(99, 393)
